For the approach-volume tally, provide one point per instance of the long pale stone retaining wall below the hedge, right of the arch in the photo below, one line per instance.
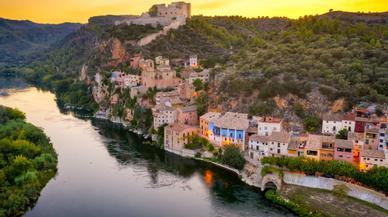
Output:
(355, 191)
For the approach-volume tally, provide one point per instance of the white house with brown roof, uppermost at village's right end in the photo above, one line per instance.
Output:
(333, 123)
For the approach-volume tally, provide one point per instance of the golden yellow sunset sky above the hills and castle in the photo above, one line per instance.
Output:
(58, 11)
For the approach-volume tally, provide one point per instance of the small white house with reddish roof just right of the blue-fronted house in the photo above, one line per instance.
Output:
(267, 125)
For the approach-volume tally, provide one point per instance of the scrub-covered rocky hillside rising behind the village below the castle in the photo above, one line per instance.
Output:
(264, 65)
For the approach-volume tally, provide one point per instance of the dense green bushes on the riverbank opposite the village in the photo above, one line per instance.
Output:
(27, 162)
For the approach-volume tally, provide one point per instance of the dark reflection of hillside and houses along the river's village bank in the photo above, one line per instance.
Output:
(129, 149)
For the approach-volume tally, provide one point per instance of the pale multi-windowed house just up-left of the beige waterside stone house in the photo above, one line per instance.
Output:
(163, 115)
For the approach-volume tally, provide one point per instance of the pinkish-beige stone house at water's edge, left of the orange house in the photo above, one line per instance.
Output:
(176, 136)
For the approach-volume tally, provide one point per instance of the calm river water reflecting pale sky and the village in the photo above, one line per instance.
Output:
(106, 171)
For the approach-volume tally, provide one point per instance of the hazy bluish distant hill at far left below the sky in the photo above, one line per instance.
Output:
(22, 40)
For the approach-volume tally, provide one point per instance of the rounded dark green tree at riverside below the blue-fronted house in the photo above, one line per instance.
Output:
(233, 157)
